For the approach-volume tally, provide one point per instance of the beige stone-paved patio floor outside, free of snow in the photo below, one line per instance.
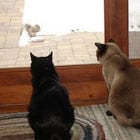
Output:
(69, 49)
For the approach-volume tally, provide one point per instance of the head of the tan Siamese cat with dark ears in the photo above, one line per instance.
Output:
(107, 50)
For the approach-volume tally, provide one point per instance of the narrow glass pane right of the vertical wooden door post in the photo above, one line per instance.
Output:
(134, 29)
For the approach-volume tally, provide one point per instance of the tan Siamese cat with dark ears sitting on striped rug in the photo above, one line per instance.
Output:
(123, 83)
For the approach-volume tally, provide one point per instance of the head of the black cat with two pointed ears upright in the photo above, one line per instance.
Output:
(42, 66)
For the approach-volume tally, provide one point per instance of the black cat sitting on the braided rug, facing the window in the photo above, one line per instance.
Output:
(51, 114)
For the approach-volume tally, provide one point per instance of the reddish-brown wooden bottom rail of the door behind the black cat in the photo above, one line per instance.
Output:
(84, 83)
